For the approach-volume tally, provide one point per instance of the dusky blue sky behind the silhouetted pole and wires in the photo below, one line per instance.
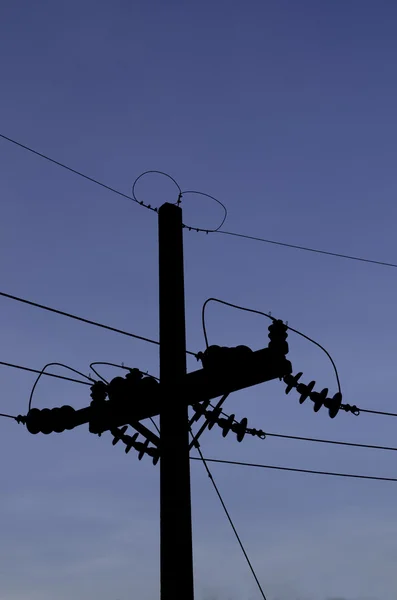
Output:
(285, 111)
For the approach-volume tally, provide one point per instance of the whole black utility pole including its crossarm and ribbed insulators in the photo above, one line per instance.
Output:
(126, 401)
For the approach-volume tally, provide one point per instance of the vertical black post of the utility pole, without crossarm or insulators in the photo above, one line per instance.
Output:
(176, 553)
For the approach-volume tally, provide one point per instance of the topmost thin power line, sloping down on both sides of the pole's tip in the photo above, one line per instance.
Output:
(230, 233)
